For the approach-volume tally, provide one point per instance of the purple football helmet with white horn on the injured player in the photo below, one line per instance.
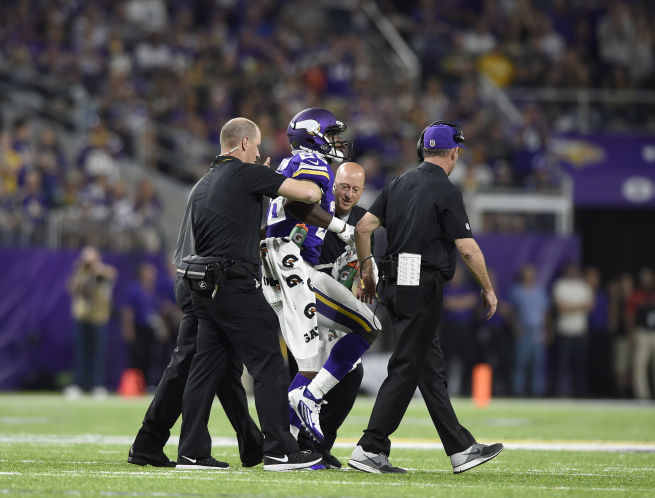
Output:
(316, 129)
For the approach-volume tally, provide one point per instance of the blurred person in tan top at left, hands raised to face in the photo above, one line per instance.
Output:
(90, 286)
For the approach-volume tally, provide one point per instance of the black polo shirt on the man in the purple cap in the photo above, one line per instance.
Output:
(423, 213)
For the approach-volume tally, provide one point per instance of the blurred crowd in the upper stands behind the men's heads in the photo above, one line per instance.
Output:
(193, 64)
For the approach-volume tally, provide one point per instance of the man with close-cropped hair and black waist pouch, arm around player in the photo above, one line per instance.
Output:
(223, 215)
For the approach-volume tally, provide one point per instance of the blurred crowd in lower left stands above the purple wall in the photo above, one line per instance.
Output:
(92, 203)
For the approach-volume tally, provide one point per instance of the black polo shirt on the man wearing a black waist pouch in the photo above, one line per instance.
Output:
(224, 209)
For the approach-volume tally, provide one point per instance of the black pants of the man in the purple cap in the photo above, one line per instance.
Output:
(417, 360)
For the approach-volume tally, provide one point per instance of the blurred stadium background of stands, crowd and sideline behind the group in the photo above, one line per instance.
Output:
(110, 111)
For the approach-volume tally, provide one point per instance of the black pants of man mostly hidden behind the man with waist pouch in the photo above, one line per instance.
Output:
(166, 406)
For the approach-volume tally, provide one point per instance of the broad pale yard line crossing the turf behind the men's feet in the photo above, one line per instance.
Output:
(398, 443)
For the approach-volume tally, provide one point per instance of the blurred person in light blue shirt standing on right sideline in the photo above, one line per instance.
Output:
(530, 303)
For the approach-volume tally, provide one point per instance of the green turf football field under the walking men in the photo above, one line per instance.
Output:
(53, 446)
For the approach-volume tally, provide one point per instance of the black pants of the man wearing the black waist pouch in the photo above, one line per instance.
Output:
(238, 322)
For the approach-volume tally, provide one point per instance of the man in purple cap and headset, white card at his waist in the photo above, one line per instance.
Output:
(425, 219)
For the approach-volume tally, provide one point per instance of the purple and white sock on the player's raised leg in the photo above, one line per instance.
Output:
(343, 356)
